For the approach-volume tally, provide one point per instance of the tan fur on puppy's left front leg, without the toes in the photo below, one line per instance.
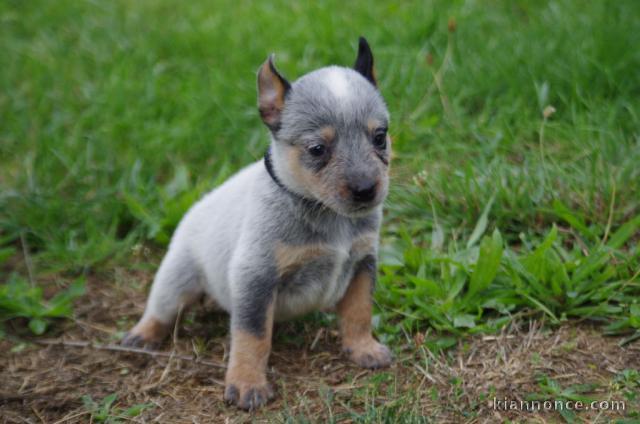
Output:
(249, 355)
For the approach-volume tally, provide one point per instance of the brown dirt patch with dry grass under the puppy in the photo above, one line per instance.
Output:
(183, 383)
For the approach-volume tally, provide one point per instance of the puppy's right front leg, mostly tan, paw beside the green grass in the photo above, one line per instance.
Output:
(354, 311)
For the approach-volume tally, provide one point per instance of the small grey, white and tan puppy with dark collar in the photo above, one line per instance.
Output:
(292, 233)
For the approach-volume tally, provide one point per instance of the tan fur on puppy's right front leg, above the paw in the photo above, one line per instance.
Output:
(354, 310)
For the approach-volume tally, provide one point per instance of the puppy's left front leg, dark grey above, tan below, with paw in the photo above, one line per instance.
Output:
(251, 328)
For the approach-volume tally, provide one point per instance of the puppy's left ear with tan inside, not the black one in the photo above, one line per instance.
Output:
(272, 90)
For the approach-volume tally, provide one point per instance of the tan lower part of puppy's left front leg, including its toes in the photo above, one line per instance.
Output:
(246, 379)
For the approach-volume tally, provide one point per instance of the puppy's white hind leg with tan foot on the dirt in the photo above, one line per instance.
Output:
(176, 285)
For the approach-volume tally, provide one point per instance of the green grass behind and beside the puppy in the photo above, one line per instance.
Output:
(515, 131)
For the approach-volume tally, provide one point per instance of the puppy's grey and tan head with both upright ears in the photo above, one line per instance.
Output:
(329, 133)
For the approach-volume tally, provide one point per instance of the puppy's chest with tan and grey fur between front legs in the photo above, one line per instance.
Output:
(316, 276)
